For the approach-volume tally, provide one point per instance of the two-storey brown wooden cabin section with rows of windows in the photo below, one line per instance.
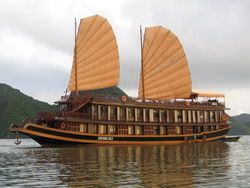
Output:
(103, 114)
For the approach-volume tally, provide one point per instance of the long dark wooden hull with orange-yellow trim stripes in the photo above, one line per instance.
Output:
(46, 136)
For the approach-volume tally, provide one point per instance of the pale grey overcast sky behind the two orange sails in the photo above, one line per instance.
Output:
(37, 39)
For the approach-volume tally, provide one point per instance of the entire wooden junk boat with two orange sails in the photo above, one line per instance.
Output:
(165, 111)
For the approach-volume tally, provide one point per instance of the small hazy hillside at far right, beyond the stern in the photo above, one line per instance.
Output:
(240, 125)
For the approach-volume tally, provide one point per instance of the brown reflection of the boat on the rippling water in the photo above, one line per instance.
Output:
(142, 166)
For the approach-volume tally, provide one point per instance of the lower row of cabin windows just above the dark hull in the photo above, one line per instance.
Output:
(135, 129)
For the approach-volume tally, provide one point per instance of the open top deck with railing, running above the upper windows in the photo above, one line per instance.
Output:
(148, 103)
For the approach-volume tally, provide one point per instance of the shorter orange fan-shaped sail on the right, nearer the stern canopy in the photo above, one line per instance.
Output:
(165, 68)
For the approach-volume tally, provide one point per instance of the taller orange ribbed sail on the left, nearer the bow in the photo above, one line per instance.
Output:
(96, 56)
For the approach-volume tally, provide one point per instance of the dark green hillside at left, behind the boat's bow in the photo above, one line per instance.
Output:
(15, 107)
